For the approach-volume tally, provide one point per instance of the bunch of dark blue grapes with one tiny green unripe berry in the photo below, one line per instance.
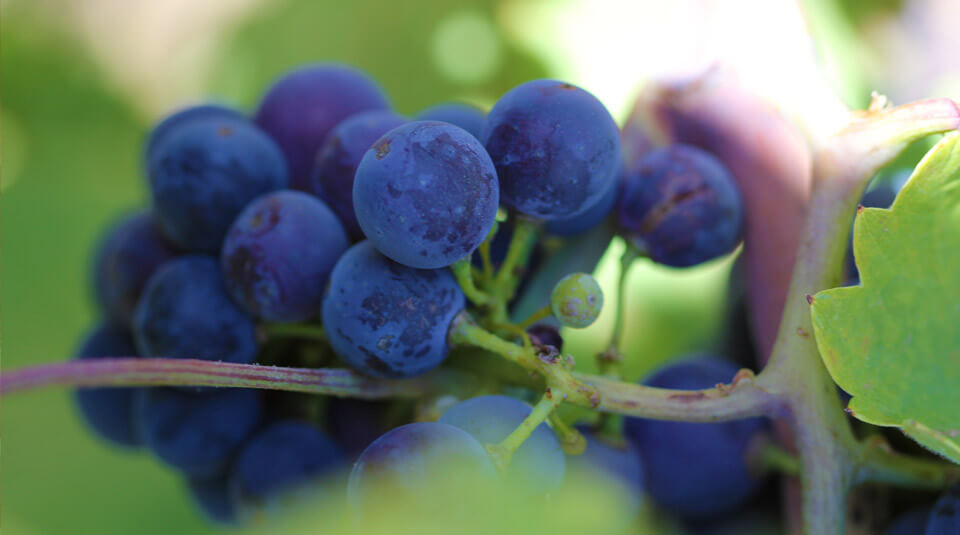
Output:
(328, 230)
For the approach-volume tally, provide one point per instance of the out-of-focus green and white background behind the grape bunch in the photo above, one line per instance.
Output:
(84, 80)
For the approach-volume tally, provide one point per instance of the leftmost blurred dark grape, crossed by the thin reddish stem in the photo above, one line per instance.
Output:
(109, 411)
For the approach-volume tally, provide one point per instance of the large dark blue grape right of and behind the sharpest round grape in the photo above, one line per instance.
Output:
(555, 147)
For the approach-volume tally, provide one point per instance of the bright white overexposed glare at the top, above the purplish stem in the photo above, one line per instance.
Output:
(612, 47)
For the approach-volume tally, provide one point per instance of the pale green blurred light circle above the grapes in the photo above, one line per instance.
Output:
(466, 47)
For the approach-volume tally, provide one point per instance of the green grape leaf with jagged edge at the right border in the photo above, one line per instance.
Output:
(893, 342)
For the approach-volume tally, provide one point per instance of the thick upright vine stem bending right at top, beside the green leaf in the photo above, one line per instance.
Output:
(795, 371)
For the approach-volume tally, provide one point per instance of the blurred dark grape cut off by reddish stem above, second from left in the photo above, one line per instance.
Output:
(197, 433)
